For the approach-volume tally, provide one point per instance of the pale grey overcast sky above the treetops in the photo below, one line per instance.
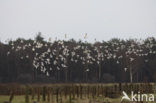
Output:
(100, 19)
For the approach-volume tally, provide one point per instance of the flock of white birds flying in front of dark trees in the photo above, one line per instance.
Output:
(59, 53)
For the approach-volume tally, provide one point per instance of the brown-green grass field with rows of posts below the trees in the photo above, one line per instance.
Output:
(70, 93)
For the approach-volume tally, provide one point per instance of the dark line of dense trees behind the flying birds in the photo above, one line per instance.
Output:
(58, 61)
